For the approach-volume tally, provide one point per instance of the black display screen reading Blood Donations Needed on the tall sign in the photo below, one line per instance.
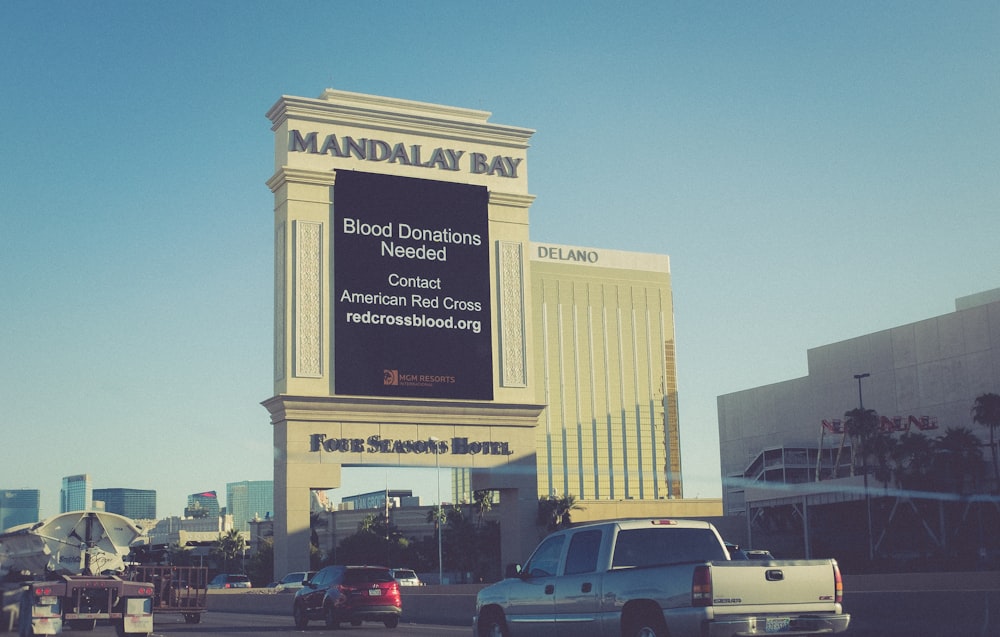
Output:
(411, 288)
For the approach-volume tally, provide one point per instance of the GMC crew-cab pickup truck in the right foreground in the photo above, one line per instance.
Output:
(653, 578)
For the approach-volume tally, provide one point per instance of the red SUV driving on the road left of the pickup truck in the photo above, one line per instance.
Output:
(352, 594)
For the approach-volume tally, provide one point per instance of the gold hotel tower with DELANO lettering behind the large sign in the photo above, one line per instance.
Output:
(603, 339)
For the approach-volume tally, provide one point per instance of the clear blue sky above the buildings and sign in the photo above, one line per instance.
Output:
(815, 171)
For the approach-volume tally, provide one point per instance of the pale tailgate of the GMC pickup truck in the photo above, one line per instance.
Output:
(774, 586)
